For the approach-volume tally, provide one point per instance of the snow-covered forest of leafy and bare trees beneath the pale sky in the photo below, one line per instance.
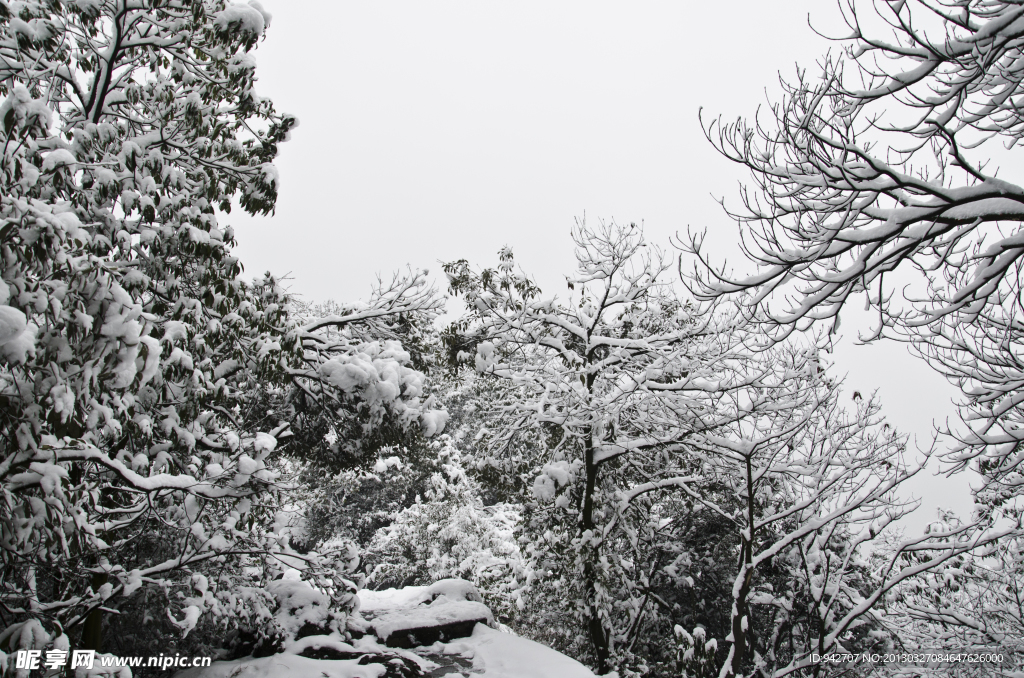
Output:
(654, 471)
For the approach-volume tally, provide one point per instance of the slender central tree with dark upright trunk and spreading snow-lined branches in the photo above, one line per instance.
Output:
(611, 384)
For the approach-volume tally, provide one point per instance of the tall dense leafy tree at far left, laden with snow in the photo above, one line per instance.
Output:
(136, 367)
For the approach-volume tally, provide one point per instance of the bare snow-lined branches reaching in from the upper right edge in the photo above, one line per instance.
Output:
(875, 171)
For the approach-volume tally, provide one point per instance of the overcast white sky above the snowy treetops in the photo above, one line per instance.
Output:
(438, 131)
